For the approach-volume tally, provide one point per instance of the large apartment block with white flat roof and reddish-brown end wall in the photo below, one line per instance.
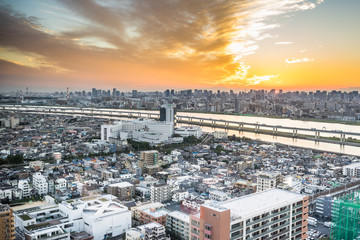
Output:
(273, 214)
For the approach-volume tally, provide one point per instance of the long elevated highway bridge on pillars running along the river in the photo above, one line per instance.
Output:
(315, 134)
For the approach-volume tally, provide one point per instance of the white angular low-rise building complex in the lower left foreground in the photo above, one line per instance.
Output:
(100, 217)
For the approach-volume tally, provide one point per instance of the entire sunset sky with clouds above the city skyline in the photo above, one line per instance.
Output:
(179, 44)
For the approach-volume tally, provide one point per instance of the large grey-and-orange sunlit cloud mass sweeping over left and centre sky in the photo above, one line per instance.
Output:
(197, 39)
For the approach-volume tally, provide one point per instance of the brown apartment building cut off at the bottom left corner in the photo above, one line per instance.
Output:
(7, 223)
